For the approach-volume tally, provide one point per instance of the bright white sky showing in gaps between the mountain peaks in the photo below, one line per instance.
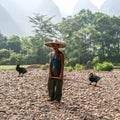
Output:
(68, 5)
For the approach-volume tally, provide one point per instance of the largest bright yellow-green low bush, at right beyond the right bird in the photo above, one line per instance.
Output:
(105, 66)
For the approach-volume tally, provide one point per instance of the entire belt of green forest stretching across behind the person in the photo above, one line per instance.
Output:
(86, 35)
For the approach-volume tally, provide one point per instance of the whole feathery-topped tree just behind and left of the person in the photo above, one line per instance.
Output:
(45, 31)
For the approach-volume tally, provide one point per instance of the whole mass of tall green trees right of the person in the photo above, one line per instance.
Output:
(90, 35)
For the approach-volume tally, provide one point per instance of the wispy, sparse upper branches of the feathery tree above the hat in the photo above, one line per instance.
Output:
(43, 26)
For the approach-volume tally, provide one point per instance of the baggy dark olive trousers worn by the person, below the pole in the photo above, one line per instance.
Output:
(55, 89)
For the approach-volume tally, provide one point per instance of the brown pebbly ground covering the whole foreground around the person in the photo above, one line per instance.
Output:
(25, 98)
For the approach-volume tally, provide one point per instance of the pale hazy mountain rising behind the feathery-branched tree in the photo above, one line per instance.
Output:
(21, 10)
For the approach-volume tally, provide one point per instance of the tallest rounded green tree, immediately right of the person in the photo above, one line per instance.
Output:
(77, 35)
